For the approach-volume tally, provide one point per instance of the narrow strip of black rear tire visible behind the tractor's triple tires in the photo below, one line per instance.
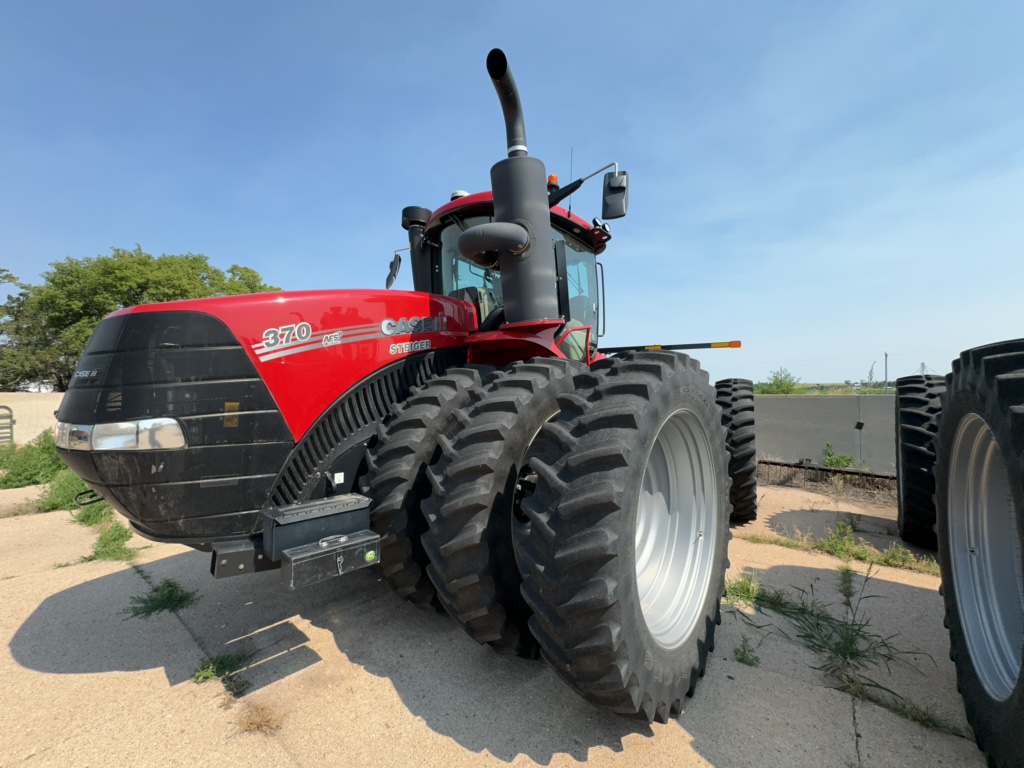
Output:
(736, 398)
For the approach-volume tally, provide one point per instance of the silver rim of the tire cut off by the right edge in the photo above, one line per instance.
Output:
(985, 553)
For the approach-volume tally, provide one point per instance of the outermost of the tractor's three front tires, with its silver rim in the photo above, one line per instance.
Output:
(627, 553)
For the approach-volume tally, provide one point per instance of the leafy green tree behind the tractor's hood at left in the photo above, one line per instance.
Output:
(45, 328)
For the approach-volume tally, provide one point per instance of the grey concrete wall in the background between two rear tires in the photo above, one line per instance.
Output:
(795, 428)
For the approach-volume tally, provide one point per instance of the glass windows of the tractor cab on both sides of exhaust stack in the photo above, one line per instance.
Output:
(462, 279)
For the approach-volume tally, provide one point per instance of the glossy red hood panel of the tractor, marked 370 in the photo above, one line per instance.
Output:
(312, 347)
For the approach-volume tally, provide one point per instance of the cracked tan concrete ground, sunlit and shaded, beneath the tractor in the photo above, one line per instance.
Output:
(357, 677)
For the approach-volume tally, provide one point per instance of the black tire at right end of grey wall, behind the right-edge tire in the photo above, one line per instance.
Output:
(919, 404)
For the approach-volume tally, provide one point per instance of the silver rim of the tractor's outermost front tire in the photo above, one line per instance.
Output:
(676, 530)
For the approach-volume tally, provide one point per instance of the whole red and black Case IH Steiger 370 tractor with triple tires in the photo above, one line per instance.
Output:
(558, 500)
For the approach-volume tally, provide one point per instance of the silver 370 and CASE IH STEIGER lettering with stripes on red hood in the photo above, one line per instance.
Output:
(286, 340)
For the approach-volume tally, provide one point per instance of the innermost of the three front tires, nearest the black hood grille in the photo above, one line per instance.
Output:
(397, 478)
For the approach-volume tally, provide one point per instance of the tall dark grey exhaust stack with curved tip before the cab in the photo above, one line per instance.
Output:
(526, 255)
